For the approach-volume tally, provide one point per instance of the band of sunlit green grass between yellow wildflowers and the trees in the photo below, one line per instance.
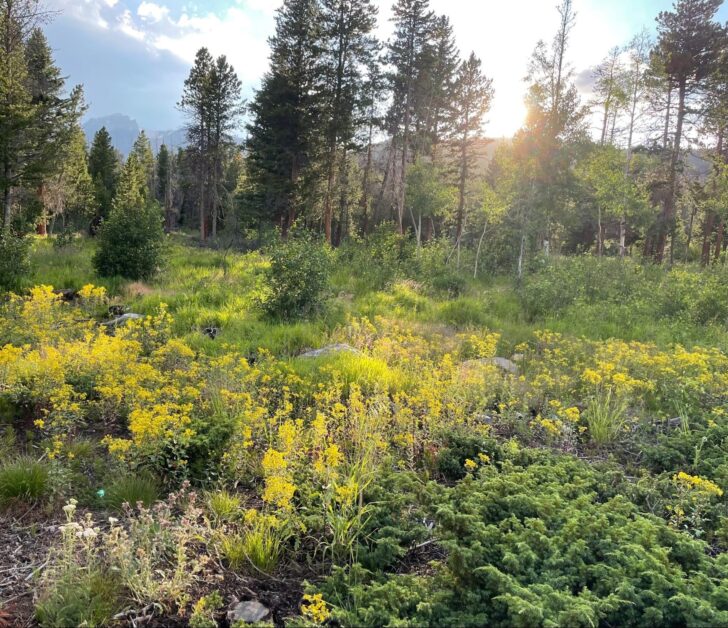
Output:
(207, 287)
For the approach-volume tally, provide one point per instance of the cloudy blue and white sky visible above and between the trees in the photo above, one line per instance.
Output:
(132, 56)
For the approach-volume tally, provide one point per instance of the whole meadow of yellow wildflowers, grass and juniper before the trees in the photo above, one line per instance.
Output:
(462, 452)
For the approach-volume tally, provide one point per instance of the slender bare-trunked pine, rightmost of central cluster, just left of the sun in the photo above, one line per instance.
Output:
(472, 97)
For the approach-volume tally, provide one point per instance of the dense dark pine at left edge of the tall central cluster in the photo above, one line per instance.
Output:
(283, 143)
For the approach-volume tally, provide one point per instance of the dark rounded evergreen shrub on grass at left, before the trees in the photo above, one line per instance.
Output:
(131, 243)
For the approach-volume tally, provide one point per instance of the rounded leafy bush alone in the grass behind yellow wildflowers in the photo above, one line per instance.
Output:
(298, 278)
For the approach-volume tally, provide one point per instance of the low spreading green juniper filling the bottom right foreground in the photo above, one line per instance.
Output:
(539, 539)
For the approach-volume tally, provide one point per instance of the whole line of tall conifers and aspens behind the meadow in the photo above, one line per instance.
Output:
(347, 133)
